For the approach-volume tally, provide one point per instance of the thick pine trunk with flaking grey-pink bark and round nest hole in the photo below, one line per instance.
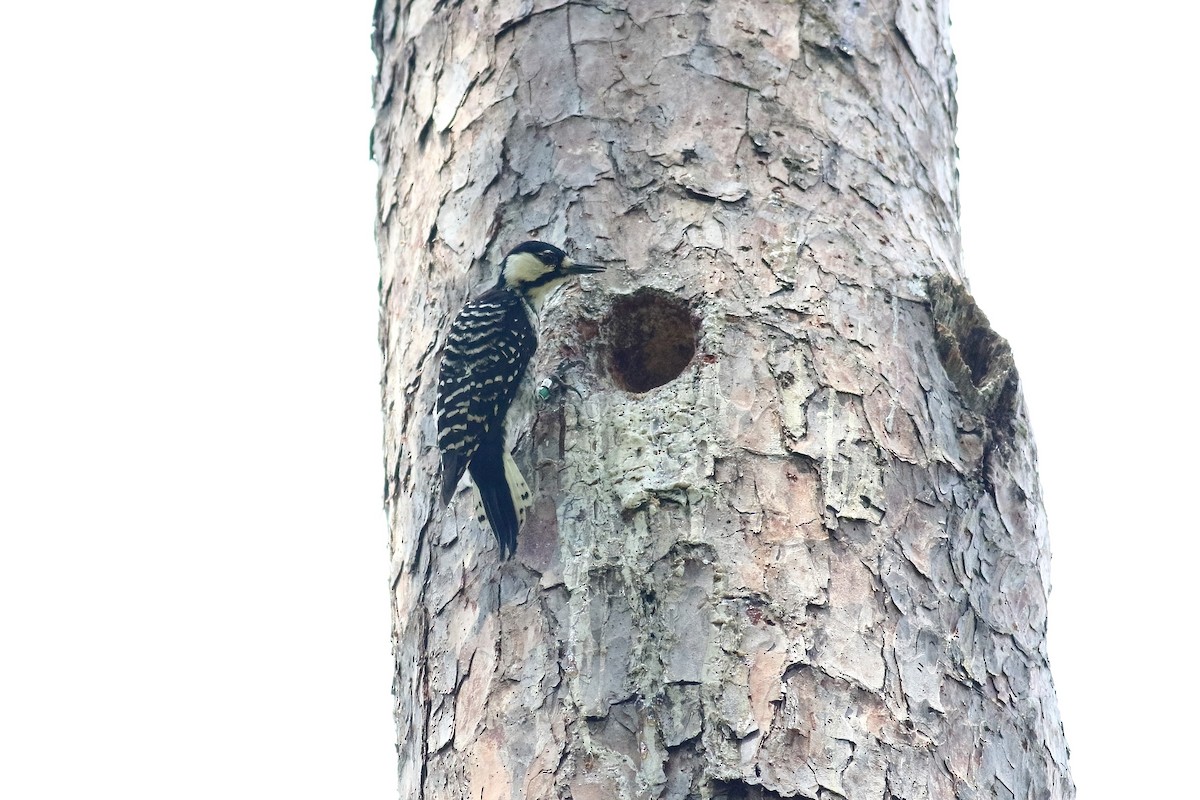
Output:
(788, 538)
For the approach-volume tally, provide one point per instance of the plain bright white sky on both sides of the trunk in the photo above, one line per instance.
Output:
(194, 558)
